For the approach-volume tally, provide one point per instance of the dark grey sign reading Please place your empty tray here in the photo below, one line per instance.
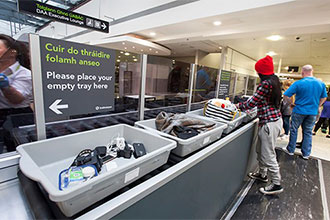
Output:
(76, 78)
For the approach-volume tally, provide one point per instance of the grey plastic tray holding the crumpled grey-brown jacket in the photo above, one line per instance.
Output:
(187, 146)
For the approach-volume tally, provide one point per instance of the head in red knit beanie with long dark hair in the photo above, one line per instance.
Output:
(265, 70)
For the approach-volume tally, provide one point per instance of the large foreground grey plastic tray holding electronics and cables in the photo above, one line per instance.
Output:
(42, 161)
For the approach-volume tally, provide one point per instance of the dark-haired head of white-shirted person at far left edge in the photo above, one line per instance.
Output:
(12, 51)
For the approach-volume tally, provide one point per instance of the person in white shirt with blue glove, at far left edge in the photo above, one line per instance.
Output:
(15, 78)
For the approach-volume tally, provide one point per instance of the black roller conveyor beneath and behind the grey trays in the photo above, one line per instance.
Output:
(80, 125)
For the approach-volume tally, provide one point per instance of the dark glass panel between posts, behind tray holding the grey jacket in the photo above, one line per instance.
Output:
(166, 83)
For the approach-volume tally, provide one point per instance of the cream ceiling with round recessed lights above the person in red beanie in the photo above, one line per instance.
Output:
(246, 31)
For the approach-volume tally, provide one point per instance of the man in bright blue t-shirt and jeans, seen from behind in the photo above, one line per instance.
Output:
(310, 95)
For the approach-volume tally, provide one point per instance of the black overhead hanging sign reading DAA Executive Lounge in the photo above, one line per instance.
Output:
(58, 14)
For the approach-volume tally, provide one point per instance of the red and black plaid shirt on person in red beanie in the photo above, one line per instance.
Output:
(266, 111)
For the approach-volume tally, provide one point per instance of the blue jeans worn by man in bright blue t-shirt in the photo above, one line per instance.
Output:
(307, 122)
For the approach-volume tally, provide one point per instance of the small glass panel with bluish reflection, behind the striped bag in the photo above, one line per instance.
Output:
(204, 83)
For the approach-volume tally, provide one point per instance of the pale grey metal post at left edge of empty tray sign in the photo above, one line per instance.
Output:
(39, 111)
